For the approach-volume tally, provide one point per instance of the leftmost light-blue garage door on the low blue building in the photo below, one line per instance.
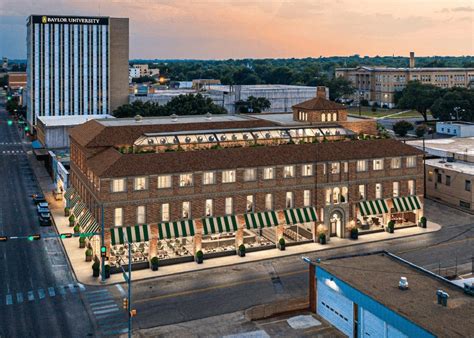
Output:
(335, 308)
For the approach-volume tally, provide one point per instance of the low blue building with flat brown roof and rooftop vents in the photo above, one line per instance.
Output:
(382, 295)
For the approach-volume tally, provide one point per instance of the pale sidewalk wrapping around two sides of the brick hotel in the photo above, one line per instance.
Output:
(83, 270)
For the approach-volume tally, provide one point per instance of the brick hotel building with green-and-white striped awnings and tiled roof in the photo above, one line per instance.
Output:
(175, 185)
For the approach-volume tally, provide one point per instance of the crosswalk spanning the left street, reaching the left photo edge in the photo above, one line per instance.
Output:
(41, 294)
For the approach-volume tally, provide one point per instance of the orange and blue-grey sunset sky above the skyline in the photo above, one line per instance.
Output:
(219, 29)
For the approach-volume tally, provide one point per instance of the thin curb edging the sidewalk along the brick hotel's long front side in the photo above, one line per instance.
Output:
(356, 243)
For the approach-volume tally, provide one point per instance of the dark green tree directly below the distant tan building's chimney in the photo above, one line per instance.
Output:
(419, 96)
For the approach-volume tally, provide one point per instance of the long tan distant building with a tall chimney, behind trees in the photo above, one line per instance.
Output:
(380, 84)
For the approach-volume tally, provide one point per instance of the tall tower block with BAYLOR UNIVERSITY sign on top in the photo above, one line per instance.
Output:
(76, 65)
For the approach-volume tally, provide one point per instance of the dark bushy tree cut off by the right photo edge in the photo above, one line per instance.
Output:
(444, 106)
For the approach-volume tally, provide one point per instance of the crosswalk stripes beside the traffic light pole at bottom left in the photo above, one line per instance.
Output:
(111, 319)
